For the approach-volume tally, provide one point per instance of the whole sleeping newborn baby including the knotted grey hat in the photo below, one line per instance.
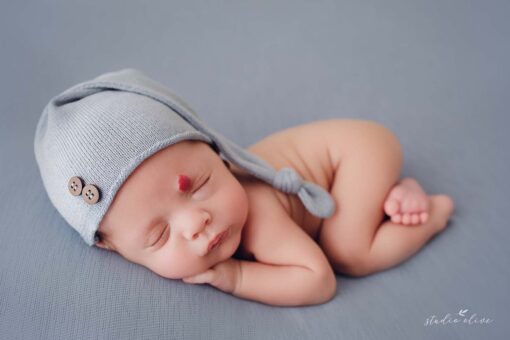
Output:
(134, 170)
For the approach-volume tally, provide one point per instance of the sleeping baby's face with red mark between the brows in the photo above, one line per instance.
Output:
(158, 223)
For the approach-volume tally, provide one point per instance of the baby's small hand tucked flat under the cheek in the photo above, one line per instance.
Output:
(224, 276)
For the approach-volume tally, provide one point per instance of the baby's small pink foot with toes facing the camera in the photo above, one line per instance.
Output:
(407, 203)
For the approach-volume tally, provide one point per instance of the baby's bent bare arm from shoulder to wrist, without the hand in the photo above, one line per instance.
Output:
(291, 269)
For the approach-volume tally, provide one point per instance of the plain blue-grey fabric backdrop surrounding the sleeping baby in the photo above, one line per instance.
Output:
(435, 72)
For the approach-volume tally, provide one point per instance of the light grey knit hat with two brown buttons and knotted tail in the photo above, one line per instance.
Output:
(92, 136)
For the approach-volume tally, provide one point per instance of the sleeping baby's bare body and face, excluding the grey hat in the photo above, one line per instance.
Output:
(169, 213)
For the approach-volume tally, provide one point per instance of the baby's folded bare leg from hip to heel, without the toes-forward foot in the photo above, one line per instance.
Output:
(356, 239)
